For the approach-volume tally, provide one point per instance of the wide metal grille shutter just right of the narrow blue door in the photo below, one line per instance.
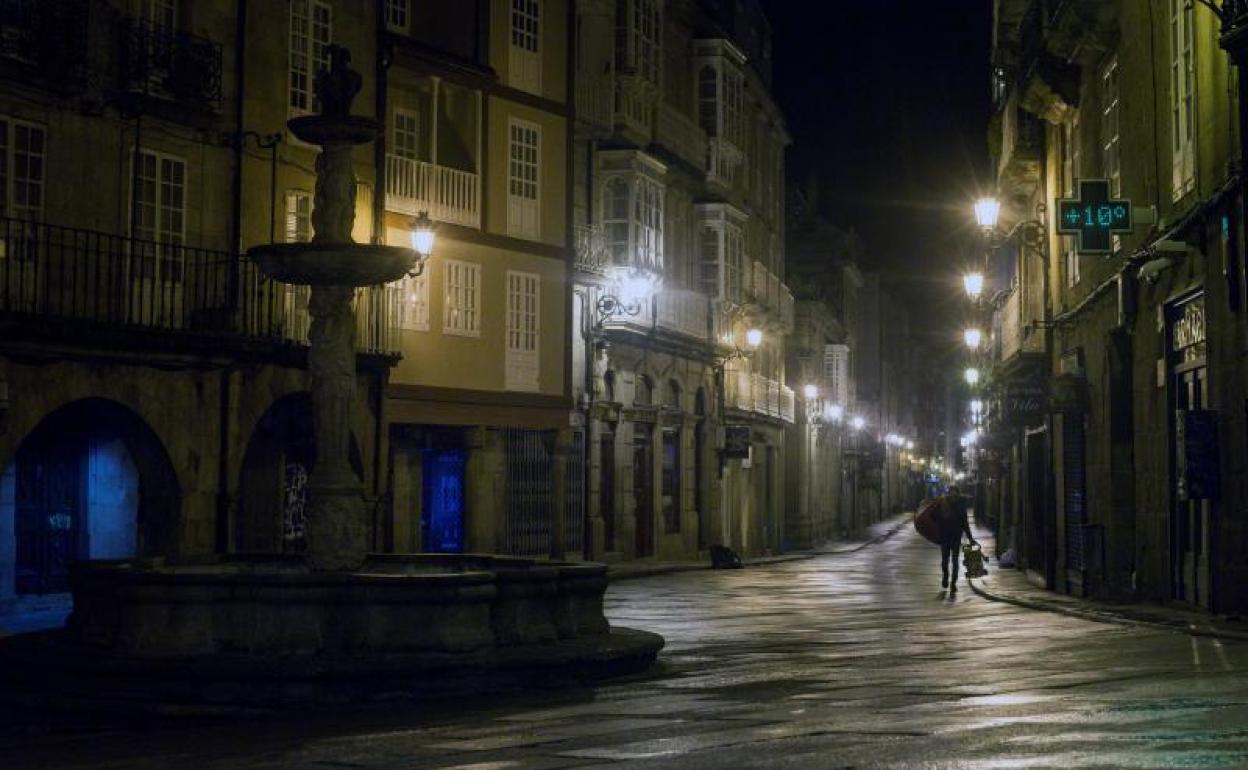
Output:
(530, 505)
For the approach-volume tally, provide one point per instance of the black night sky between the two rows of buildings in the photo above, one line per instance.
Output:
(888, 102)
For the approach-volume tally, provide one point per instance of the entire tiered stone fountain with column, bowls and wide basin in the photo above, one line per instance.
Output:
(338, 625)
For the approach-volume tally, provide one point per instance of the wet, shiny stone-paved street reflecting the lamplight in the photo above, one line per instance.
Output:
(851, 661)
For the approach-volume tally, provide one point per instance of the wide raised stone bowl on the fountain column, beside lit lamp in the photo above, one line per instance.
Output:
(334, 264)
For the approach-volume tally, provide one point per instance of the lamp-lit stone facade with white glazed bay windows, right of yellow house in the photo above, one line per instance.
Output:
(678, 183)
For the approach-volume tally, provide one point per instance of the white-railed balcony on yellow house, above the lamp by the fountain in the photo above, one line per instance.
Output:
(449, 195)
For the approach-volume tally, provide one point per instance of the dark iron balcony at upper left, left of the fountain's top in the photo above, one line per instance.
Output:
(170, 66)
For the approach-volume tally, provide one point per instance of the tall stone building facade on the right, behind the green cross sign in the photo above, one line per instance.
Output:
(1128, 481)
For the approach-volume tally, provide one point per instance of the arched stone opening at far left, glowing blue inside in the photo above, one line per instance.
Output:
(90, 481)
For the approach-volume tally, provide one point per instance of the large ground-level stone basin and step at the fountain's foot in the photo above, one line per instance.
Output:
(248, 632)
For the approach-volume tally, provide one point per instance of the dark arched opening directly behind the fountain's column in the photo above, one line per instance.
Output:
(279, 459)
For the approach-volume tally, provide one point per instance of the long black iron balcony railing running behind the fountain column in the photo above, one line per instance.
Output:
(52, 274)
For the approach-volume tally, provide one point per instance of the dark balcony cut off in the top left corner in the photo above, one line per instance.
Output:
(48, 41)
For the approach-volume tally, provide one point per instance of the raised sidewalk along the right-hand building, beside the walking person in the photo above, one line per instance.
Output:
(1013, 587)
